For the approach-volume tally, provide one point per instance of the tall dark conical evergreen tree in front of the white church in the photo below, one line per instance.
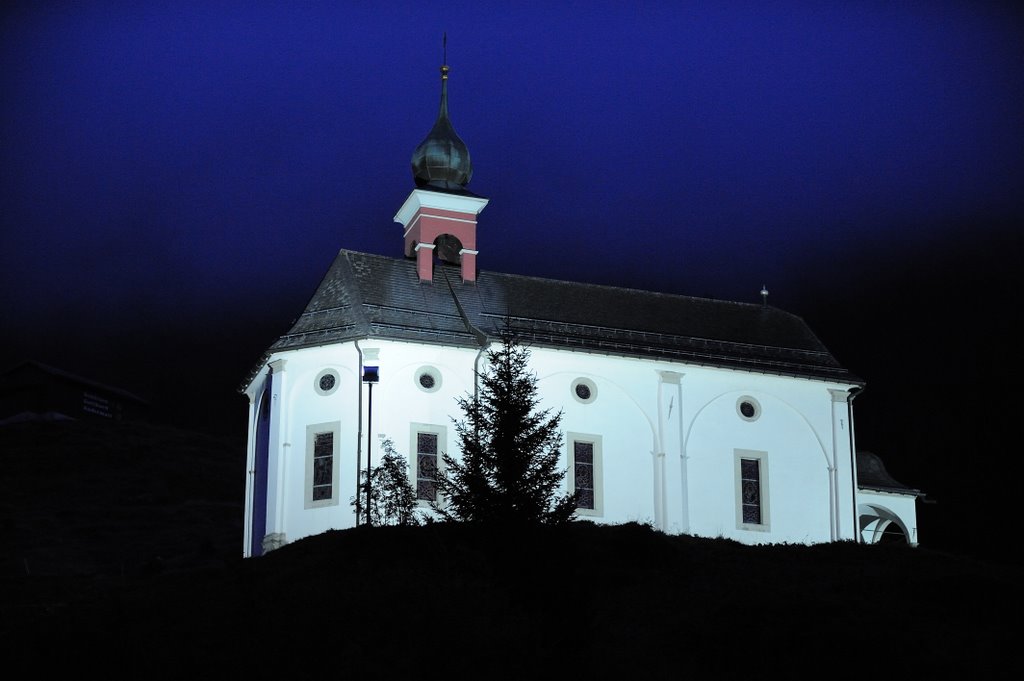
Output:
(509, 472)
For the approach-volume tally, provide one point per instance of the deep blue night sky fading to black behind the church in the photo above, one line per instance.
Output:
(177, 178)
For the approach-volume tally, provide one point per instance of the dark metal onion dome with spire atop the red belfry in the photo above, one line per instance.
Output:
(442, 160)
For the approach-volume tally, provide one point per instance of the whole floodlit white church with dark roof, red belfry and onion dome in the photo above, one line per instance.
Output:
(698, 416)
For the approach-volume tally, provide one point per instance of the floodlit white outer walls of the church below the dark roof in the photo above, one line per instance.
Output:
(669, 433)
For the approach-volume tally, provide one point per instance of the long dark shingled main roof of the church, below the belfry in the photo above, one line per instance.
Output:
(366, 295)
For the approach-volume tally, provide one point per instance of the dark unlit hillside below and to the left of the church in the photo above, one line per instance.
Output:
(455, 601)
